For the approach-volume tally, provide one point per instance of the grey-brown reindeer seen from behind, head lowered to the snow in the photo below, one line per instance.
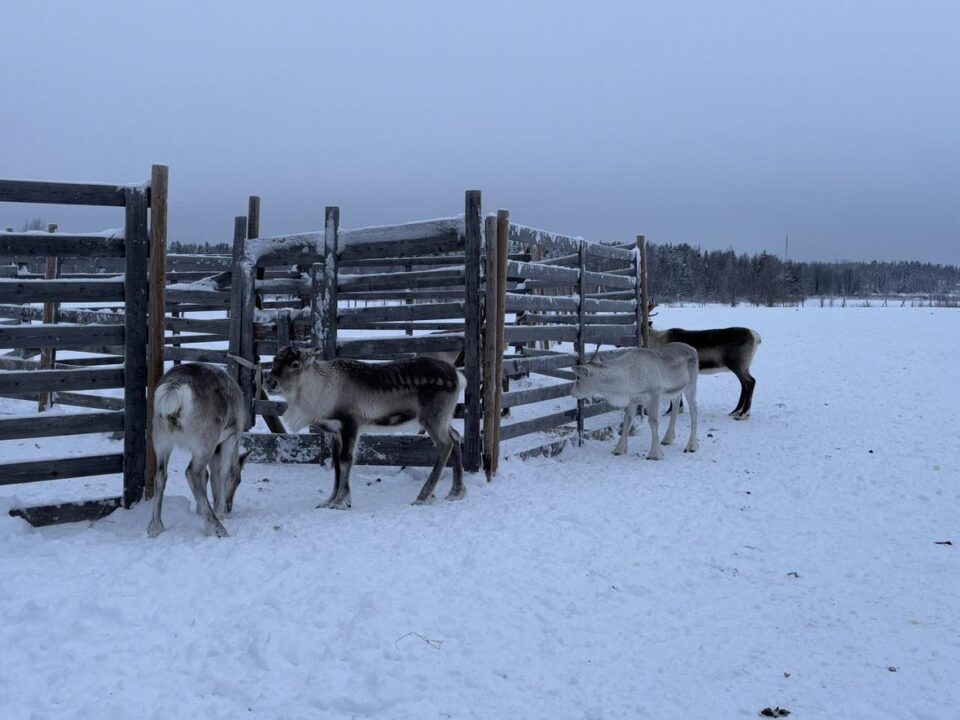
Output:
(201, 408)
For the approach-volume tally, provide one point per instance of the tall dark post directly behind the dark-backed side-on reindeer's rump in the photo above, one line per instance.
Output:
(471, 333)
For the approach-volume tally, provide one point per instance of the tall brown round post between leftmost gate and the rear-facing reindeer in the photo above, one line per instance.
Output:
(156, 310)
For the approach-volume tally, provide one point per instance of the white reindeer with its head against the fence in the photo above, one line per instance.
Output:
(641, 377)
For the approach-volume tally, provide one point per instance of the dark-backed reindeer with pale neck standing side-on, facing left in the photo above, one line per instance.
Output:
(345, 396)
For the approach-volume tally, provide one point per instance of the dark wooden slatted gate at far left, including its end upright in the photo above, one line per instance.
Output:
(129, 340)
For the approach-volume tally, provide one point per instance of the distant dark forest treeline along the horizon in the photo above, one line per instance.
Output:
(682, 273)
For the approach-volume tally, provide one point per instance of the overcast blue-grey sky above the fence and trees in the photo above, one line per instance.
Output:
(713, 123)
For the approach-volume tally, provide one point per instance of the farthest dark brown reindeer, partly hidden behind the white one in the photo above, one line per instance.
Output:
(718, 350)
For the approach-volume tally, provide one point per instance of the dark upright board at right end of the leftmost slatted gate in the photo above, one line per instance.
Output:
(135, 349)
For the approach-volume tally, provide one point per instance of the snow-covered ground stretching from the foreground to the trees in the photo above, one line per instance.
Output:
(793, 561)
